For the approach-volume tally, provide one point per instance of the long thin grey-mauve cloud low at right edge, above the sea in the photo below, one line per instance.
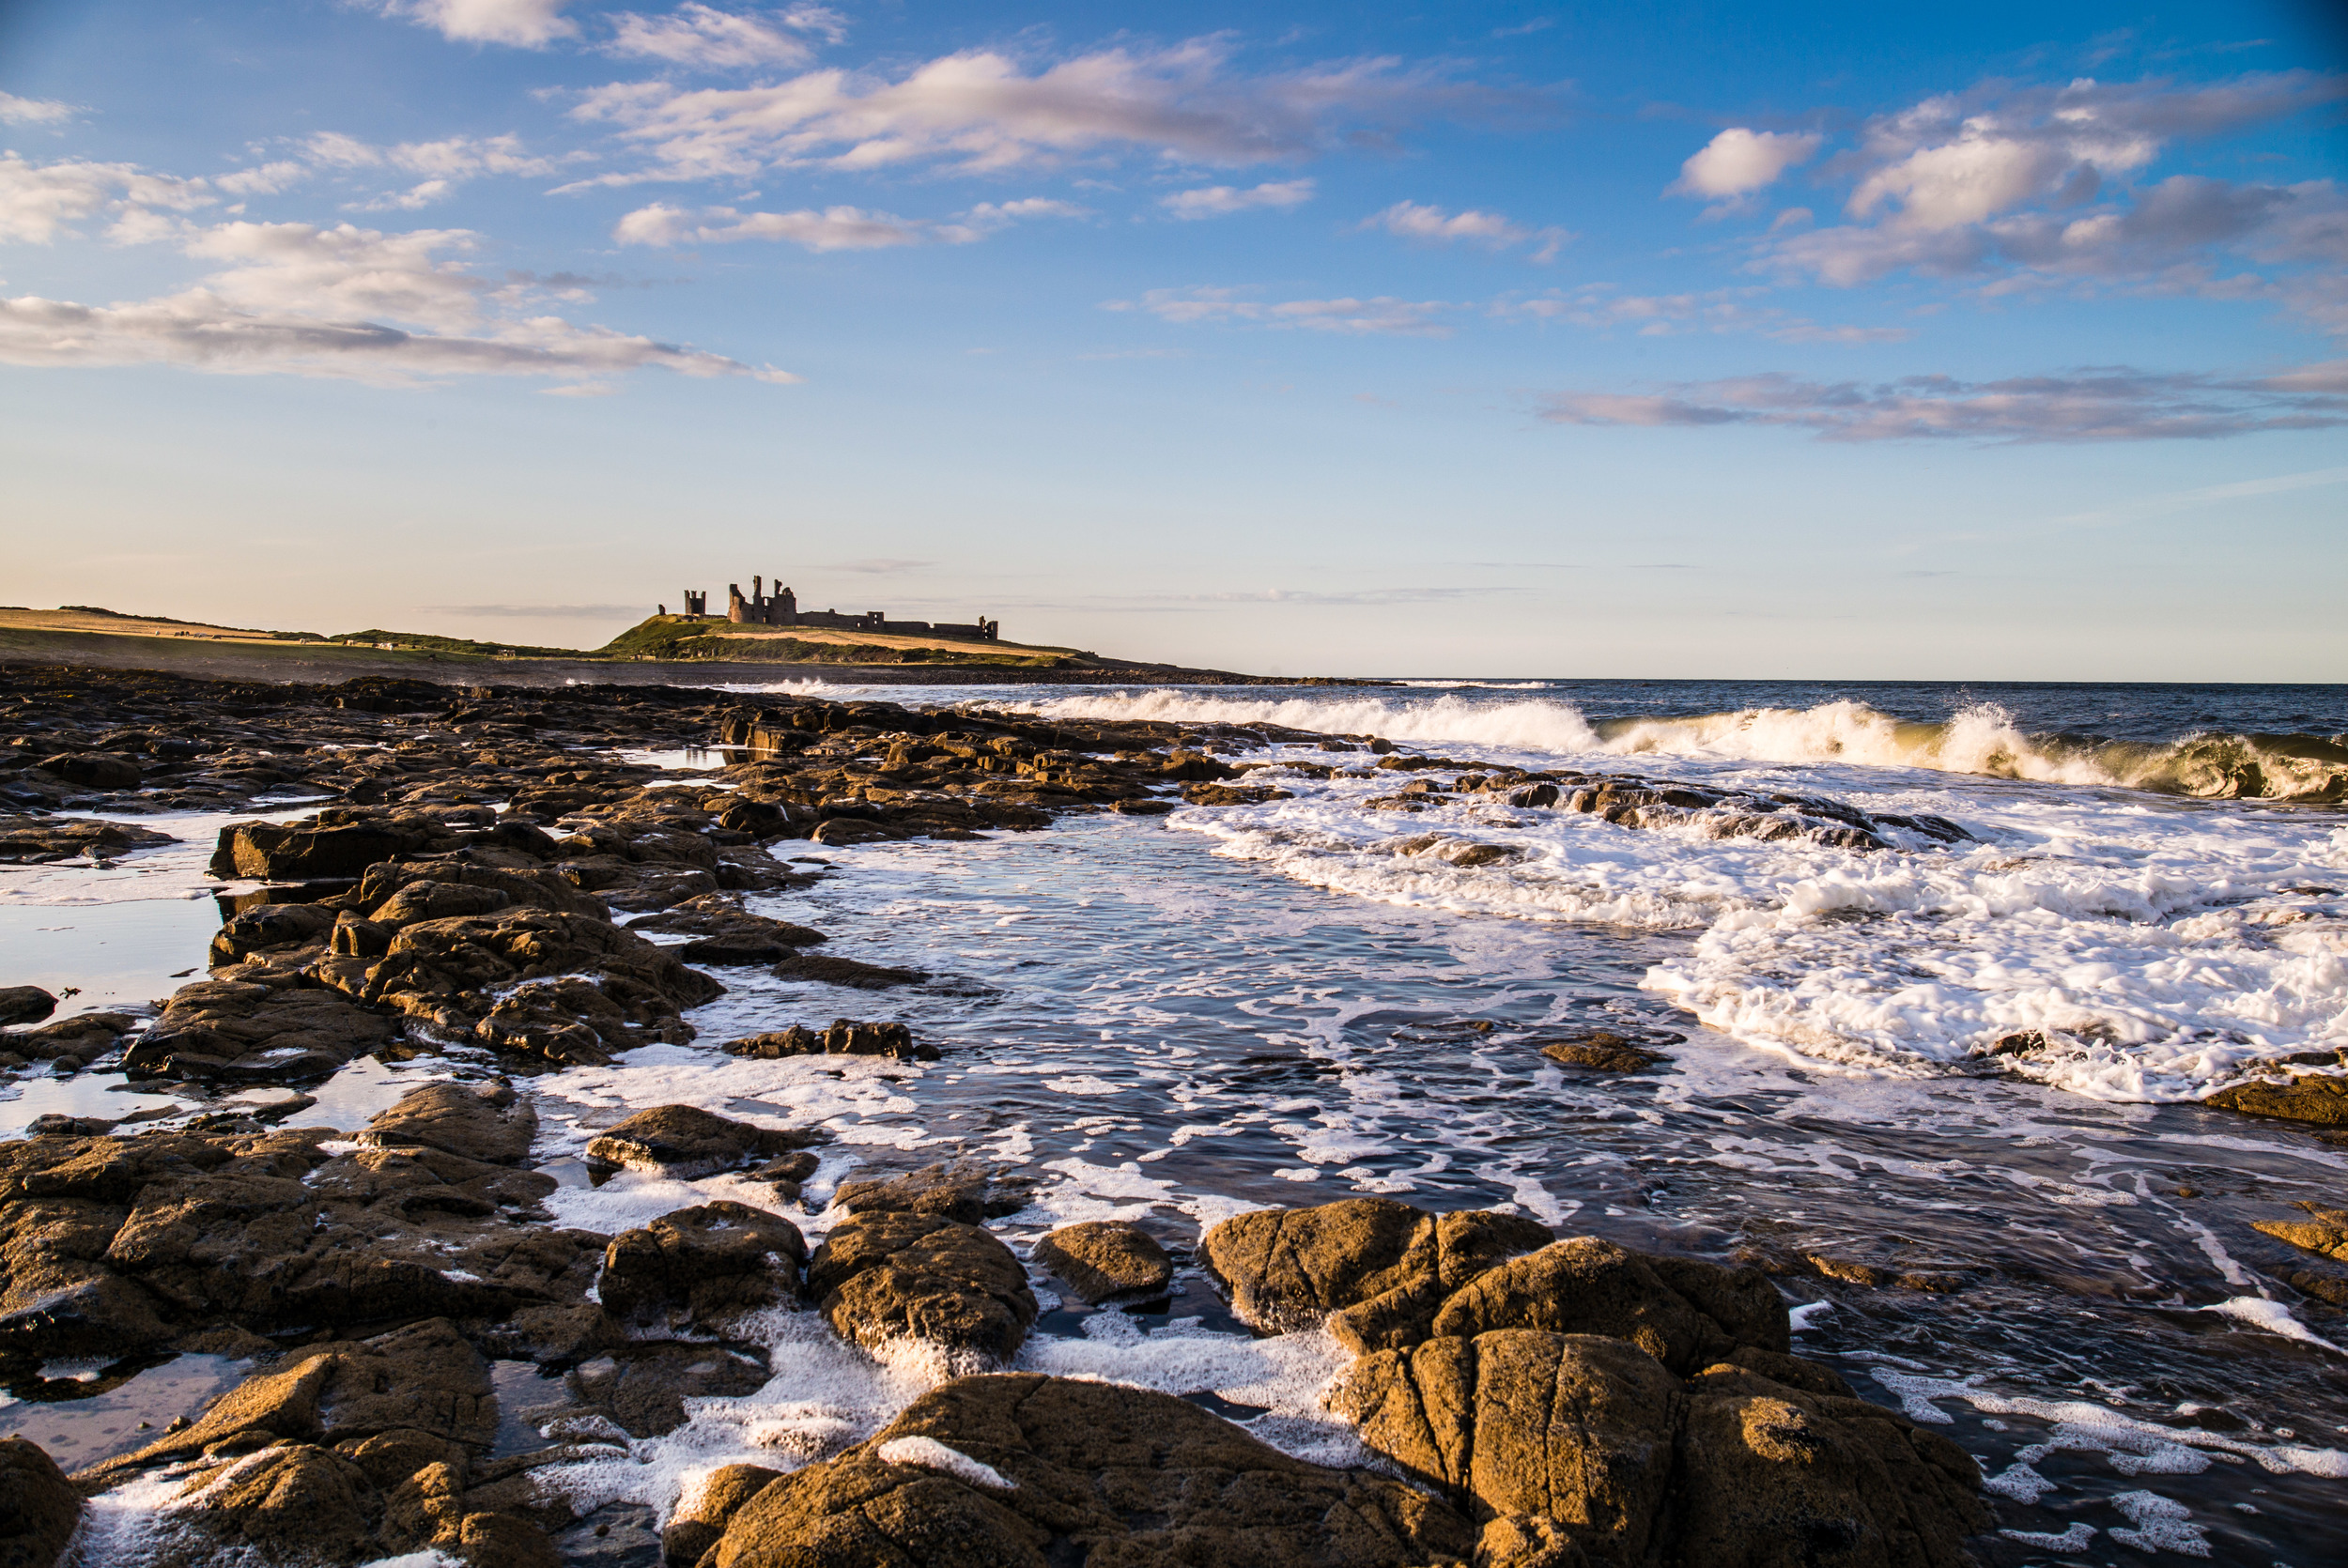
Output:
(2103, 405)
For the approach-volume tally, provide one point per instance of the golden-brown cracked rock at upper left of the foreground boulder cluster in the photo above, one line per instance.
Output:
(1379, 1264)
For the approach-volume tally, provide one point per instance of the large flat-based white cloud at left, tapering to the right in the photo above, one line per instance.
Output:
(337, 302)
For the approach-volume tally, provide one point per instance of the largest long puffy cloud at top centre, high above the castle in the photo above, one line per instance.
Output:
(983, 111)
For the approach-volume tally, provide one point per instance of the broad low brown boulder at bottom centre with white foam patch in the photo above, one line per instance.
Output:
(1016, 1468)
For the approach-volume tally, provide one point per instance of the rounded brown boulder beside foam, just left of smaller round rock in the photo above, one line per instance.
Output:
(915, 1276)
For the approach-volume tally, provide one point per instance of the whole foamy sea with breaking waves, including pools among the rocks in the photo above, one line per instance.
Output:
(2049, 1257)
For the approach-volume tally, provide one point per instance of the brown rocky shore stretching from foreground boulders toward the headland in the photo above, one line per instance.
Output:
(508, 881)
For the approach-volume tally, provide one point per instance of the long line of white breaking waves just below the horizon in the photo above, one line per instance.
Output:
(1981, 741)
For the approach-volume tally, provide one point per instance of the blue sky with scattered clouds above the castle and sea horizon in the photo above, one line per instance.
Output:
(1516, 339)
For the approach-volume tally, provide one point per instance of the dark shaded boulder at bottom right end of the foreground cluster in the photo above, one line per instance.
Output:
(1779, 1478)
